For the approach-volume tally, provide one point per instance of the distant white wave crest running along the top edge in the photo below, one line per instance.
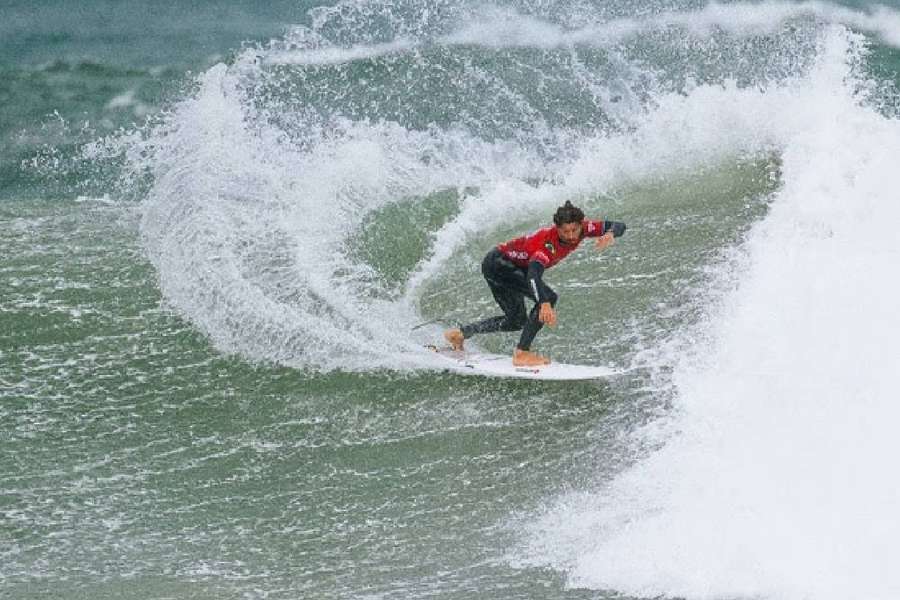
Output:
(506, 28)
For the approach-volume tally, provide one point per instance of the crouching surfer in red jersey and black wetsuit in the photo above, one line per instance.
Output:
(514, 270)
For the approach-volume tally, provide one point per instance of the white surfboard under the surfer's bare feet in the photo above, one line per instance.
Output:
(496, 365)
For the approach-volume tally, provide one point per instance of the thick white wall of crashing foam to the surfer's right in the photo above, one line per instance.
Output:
(775, 478)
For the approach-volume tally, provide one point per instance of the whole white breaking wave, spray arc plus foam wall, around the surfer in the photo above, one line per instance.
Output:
(782, 395)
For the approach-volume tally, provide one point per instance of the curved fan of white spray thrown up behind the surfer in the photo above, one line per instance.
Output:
(252, 234)
